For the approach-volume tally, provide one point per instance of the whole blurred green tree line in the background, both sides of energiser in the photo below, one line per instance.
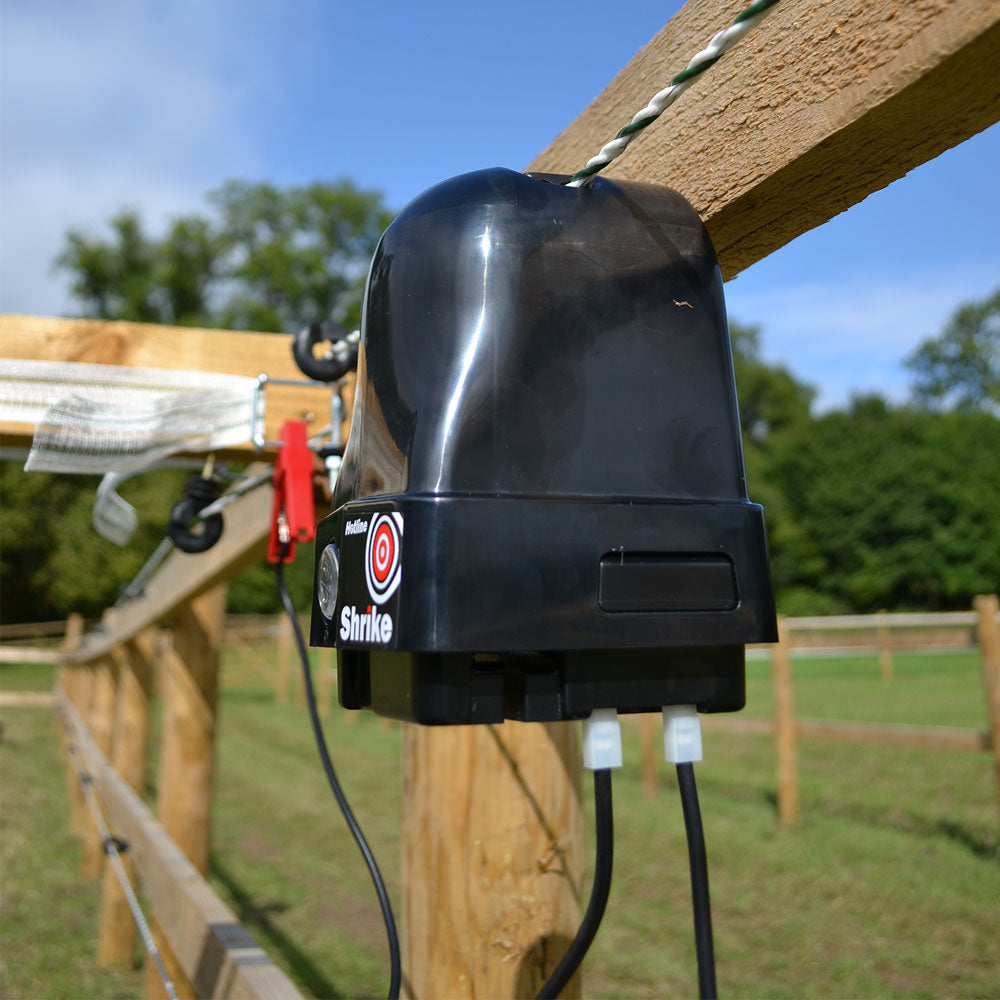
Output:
(874, 505)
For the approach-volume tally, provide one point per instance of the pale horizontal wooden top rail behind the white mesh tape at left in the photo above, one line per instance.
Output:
(145, 345)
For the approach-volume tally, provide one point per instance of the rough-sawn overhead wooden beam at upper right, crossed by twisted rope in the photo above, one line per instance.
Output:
(822, 104)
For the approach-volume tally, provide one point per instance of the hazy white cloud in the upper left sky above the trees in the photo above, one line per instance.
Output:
(109, 104)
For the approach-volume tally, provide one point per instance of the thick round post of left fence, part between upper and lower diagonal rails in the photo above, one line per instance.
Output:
(190, 694)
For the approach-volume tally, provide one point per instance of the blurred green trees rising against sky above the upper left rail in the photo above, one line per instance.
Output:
(264, 258)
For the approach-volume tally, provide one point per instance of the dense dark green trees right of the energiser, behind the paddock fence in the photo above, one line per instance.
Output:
(896, 506)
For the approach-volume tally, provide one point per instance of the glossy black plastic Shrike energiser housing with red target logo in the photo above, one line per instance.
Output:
(542, 508)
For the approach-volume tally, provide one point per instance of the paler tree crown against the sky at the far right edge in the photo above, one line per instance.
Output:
(961, 366)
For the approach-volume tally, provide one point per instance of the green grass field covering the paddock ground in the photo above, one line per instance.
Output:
(890, 886)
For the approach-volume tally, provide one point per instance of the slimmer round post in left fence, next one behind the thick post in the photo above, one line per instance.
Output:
(116, 939)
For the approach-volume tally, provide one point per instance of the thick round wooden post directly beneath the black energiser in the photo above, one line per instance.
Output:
(492, 857)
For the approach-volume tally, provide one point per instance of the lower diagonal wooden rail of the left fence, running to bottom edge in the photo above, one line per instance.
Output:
(215, 951)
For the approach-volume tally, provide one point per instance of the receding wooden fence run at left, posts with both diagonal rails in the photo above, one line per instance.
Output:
(103, 695)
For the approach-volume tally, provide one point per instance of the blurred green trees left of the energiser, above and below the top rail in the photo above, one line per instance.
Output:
(261, 258)
